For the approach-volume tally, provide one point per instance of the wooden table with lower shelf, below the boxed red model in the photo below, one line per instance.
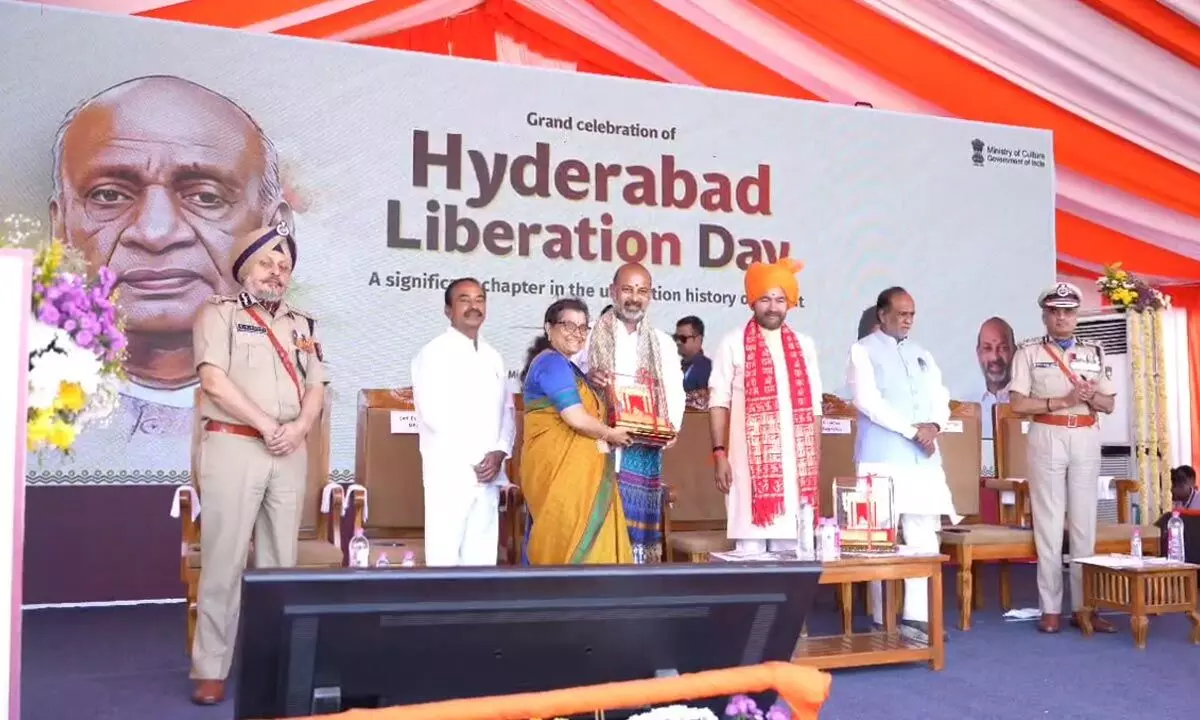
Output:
(891, 646)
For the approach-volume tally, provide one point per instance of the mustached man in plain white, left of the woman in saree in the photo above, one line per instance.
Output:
(466, 423)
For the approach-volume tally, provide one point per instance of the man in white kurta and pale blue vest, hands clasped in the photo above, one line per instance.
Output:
(903, 405)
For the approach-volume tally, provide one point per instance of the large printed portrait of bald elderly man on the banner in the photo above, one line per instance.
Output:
(155, 178)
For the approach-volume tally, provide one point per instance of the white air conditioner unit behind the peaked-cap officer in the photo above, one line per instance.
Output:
(1117, 429)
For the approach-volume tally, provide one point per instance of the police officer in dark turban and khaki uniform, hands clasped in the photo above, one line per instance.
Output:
(263, 377)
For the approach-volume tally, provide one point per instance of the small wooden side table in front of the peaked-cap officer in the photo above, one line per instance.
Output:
(1142, 592)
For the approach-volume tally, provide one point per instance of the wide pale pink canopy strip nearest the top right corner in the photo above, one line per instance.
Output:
(1076, 58)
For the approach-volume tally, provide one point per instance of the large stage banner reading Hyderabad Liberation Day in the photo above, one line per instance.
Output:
(152, 146)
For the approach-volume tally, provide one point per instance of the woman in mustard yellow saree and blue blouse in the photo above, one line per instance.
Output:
(567, 470)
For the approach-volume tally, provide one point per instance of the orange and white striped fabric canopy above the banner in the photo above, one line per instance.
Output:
(1118, 81)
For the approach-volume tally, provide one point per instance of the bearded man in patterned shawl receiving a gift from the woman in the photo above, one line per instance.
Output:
(622, 350)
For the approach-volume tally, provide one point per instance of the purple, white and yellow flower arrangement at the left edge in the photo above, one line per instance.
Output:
(76, 340)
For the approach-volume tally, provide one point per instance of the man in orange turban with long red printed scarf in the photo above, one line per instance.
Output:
(765, 395)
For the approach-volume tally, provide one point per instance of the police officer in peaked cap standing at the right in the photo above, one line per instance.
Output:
(1063, 383)
